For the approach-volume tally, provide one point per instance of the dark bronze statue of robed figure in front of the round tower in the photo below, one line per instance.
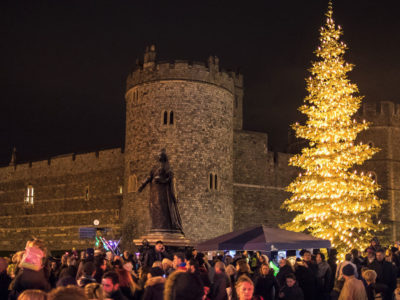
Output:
(164, 212)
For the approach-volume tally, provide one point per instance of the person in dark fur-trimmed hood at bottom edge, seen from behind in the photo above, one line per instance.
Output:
(183, 286)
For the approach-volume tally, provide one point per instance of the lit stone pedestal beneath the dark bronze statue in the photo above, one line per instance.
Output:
(168, 238)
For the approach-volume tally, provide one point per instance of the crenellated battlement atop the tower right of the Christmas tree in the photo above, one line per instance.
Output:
(383, 113)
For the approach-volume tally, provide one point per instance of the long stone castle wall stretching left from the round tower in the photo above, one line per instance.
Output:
(69, 192)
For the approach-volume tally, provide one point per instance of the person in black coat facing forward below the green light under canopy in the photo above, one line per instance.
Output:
(266, 284)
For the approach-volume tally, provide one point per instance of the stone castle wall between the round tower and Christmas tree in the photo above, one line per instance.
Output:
(260, 178)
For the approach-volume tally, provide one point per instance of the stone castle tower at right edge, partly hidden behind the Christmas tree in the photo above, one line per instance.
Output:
(385, 165)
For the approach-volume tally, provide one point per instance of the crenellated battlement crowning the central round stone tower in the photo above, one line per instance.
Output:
(151, 70)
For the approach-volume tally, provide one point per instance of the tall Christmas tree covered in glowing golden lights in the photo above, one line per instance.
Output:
(333, 201)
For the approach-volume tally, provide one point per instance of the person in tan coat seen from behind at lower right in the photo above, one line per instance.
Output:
(353, 288)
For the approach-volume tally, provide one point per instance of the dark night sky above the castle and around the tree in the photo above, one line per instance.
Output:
(64, 62)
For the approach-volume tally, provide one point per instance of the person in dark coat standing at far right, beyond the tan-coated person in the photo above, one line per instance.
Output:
(386, 275)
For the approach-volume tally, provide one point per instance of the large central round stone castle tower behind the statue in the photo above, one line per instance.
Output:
(188, 109)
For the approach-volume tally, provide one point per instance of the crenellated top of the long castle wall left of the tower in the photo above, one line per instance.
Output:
(67, 163)
